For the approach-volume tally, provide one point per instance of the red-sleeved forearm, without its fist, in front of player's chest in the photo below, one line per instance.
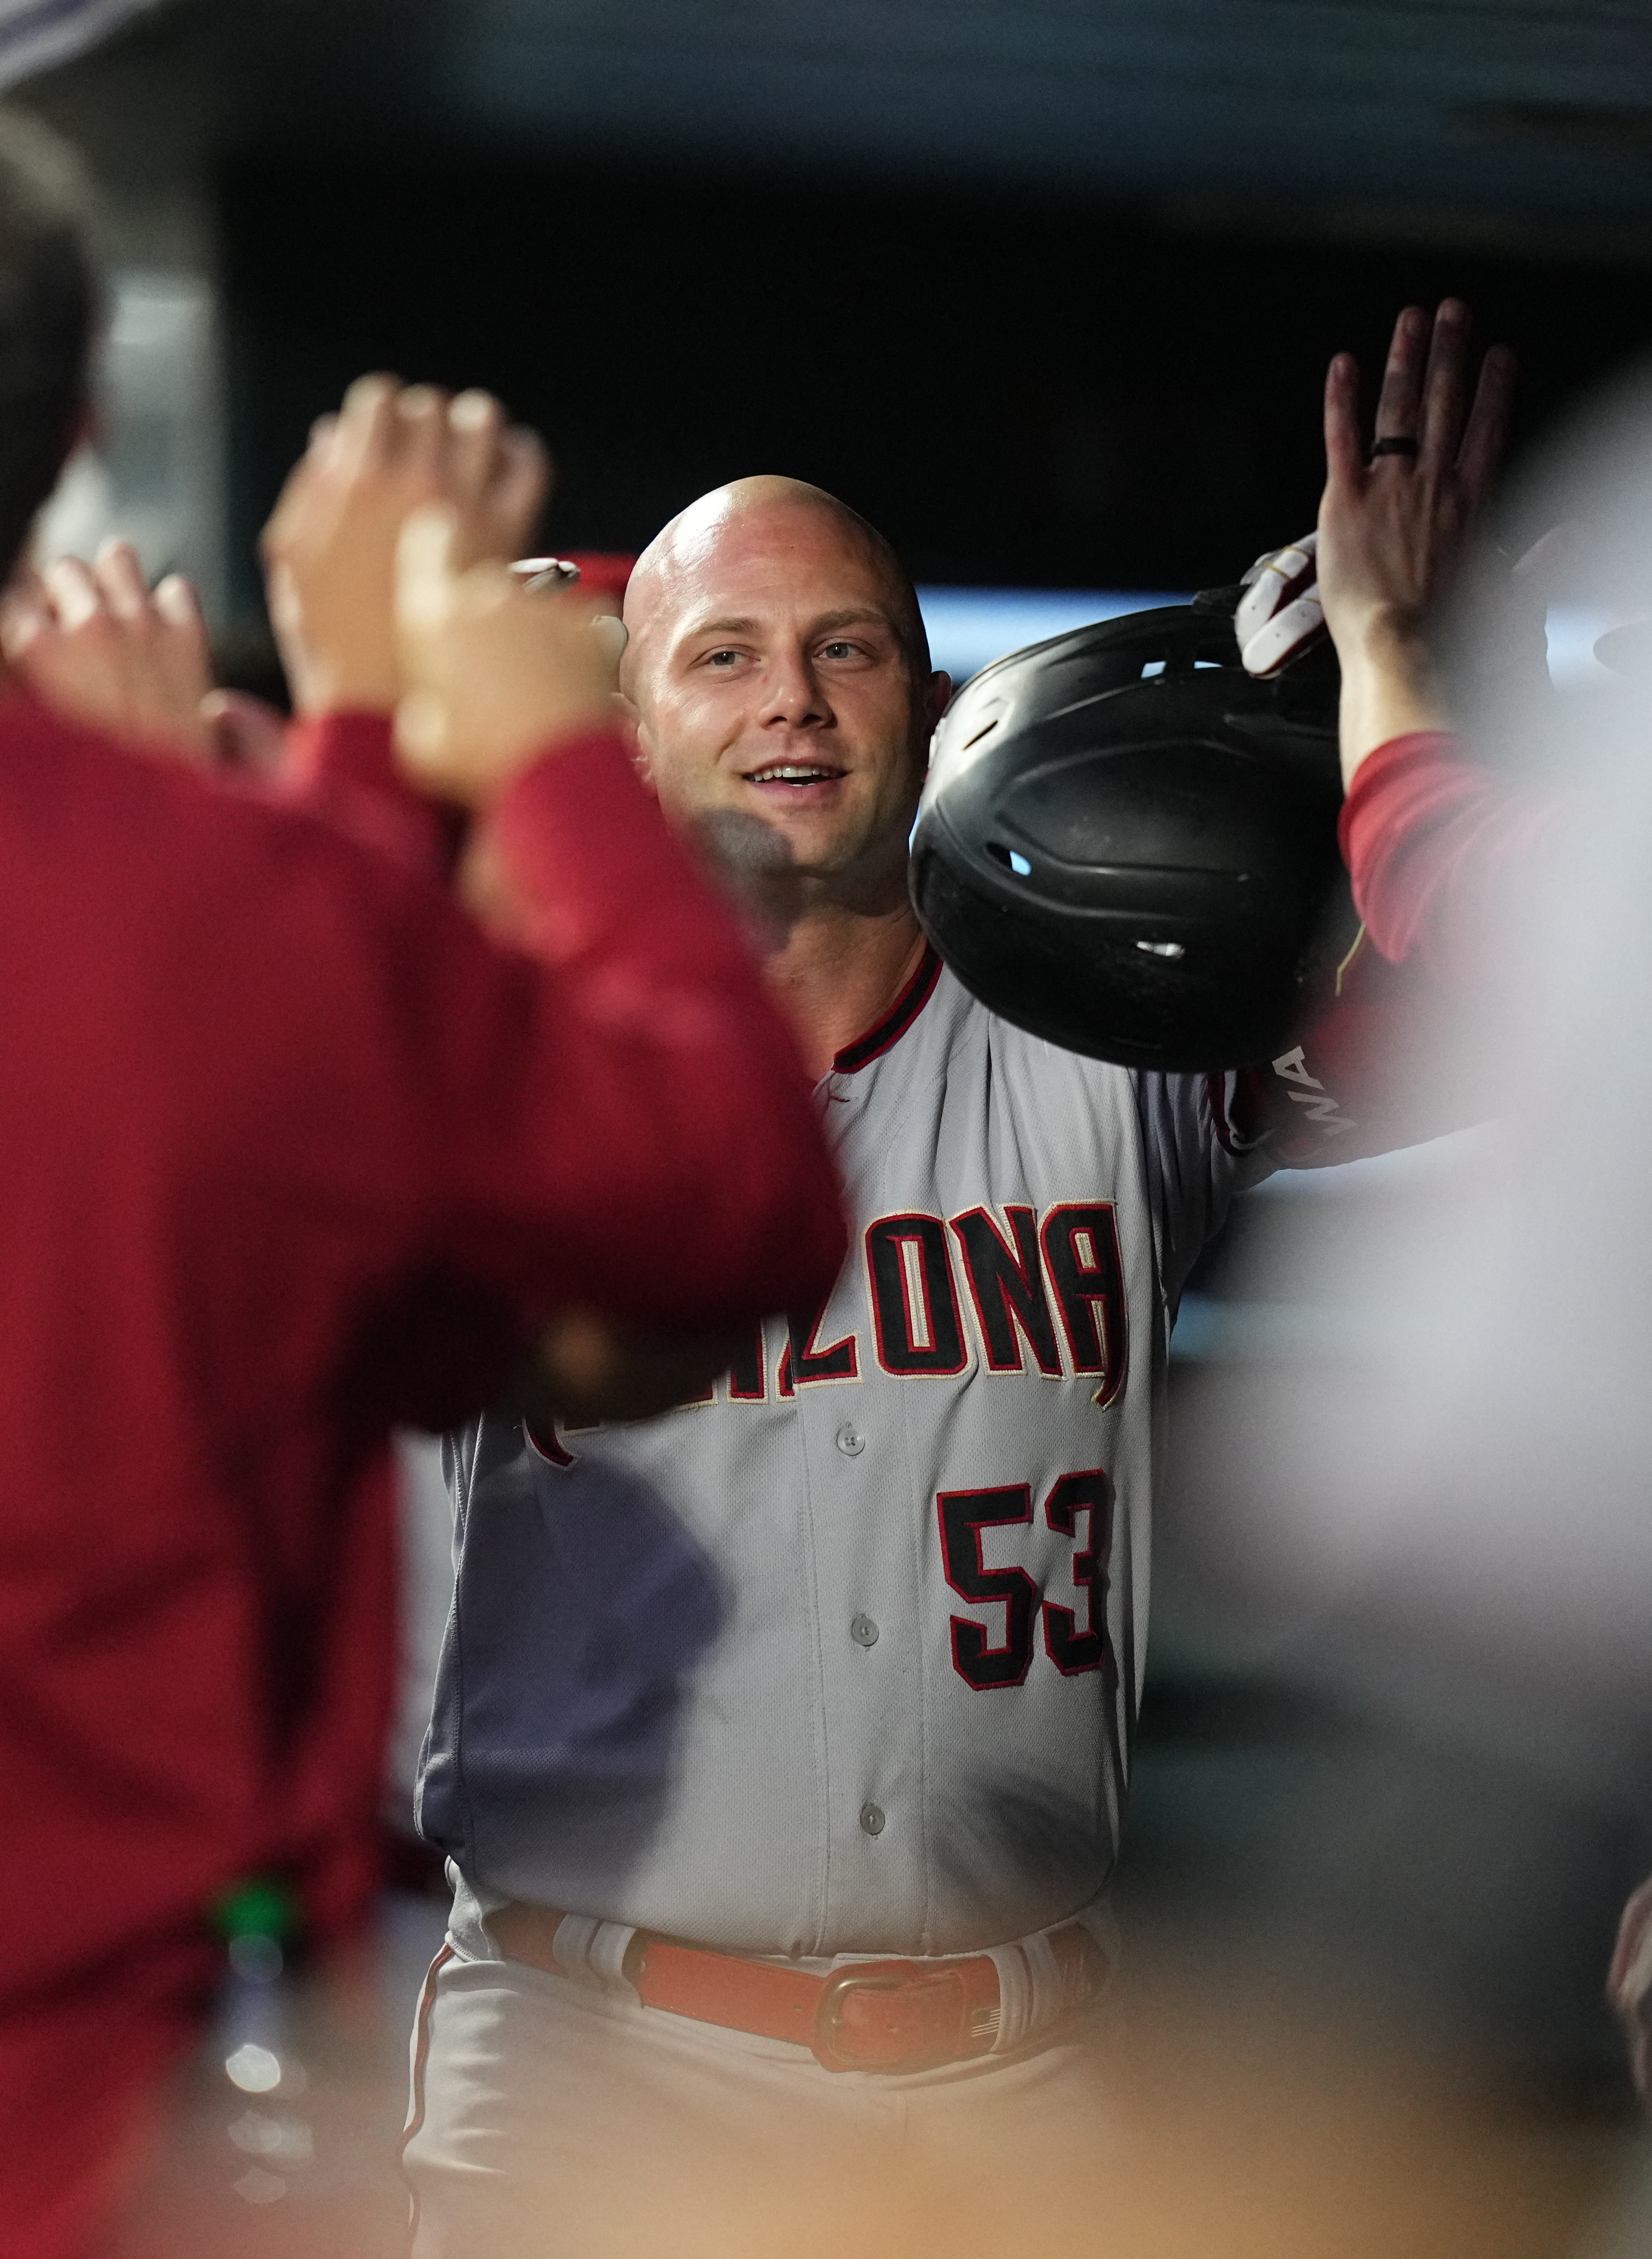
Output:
(686, 1153)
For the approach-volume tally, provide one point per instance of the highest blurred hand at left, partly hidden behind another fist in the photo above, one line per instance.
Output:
(331, 541)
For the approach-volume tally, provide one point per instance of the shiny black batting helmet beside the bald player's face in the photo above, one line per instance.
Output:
(1129, 844)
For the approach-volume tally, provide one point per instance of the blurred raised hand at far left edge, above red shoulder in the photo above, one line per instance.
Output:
(101, 647)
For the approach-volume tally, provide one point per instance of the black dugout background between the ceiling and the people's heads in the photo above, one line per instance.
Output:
(1023, 390)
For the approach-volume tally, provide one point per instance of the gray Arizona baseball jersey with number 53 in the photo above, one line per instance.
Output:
(846, 1657)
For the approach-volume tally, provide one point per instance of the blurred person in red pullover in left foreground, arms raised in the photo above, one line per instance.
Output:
(295, 1153)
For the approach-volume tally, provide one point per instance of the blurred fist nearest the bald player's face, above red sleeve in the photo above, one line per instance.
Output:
(492, 674)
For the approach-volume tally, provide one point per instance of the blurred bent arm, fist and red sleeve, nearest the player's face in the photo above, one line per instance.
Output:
(684, 1162)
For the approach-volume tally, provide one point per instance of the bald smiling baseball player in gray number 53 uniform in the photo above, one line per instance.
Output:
(781, 1743)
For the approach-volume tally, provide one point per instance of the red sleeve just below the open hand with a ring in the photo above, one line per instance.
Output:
(1445, 855)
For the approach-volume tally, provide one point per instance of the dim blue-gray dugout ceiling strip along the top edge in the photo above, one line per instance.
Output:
(1364, 114)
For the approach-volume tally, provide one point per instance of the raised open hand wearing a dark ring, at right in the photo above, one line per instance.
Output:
(1393, 525)
